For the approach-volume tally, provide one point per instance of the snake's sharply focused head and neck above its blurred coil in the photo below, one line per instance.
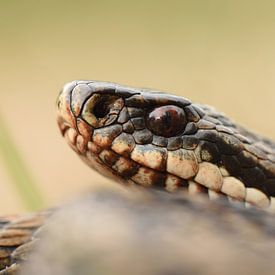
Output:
(159, 140)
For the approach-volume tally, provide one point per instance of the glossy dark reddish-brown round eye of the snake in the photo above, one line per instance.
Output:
(166, 121)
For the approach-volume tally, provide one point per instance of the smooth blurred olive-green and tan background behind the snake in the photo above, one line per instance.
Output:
(216, 52)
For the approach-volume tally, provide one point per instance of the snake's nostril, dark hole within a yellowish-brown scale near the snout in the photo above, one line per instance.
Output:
(102, 110)
